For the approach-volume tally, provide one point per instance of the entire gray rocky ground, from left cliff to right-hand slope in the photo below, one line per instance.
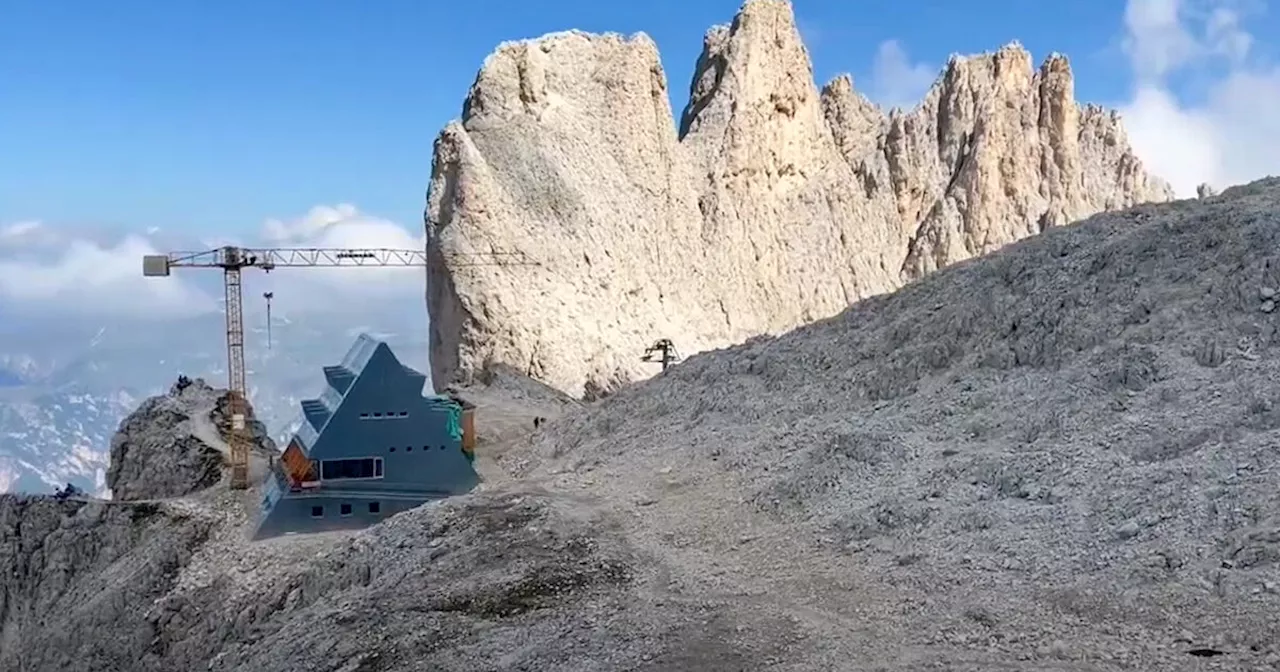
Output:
(1058, 458)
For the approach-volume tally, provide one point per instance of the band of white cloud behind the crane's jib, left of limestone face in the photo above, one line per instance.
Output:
(49, 271)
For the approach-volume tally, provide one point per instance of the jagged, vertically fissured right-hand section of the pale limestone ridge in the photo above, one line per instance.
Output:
(1000, 152)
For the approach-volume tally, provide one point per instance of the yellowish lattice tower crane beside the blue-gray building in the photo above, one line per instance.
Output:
(234, 259)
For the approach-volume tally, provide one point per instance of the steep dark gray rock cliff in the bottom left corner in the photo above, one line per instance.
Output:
(83, 580)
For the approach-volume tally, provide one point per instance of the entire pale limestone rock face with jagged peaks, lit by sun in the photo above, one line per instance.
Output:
(775, 204)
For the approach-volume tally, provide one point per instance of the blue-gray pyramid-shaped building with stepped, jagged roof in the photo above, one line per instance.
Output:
(371, 446)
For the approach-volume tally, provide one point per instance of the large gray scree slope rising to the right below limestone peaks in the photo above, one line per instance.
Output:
(1062, 456)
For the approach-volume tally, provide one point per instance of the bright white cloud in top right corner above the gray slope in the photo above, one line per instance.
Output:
(1233, 134)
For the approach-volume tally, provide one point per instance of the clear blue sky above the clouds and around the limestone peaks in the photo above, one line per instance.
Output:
(203, 116)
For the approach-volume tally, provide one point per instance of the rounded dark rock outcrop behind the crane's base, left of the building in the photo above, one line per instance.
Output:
(175, 445)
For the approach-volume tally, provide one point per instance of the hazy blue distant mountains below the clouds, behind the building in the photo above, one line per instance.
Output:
(66, 385)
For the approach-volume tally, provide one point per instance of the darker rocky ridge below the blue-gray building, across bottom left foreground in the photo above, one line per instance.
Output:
(511, 580)
